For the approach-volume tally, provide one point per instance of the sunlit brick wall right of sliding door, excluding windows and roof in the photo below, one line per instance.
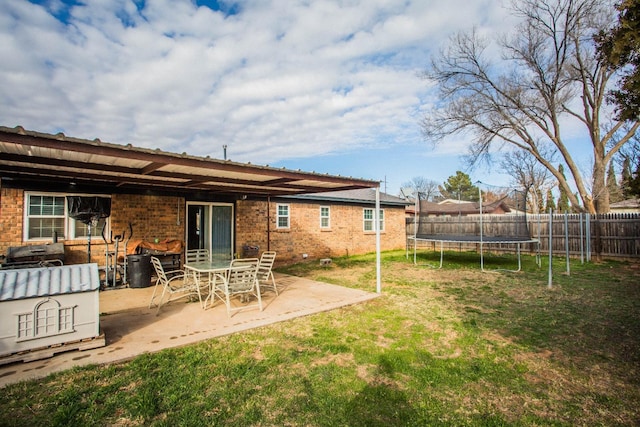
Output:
(344, 237)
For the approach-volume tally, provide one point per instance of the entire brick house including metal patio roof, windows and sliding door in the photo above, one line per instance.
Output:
(227, 207)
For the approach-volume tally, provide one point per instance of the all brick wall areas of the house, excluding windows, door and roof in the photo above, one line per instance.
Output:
(160, 217)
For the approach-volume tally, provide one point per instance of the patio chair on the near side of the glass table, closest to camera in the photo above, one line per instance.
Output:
(240, 280)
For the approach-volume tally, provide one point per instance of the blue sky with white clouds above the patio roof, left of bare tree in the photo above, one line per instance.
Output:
(325, 86)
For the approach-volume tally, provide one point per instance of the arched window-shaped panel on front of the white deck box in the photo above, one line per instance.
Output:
(47, 318)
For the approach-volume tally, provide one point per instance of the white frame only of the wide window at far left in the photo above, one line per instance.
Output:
(69, 227)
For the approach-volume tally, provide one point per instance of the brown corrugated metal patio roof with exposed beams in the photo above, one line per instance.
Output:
(29, 156)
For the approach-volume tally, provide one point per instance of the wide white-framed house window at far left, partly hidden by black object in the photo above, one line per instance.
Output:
(46, 216)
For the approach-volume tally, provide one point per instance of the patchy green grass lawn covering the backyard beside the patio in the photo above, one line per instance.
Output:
(452, 346)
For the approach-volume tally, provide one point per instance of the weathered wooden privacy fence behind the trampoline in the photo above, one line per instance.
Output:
(614, 235)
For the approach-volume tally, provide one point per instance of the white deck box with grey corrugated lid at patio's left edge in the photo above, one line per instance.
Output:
(47, 309)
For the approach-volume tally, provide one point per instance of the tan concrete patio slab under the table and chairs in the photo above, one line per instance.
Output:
(131, 328)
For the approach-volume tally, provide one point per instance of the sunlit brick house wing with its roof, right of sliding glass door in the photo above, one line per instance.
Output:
(322, 225)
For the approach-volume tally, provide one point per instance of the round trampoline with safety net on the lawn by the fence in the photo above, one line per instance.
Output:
(482, 229)
